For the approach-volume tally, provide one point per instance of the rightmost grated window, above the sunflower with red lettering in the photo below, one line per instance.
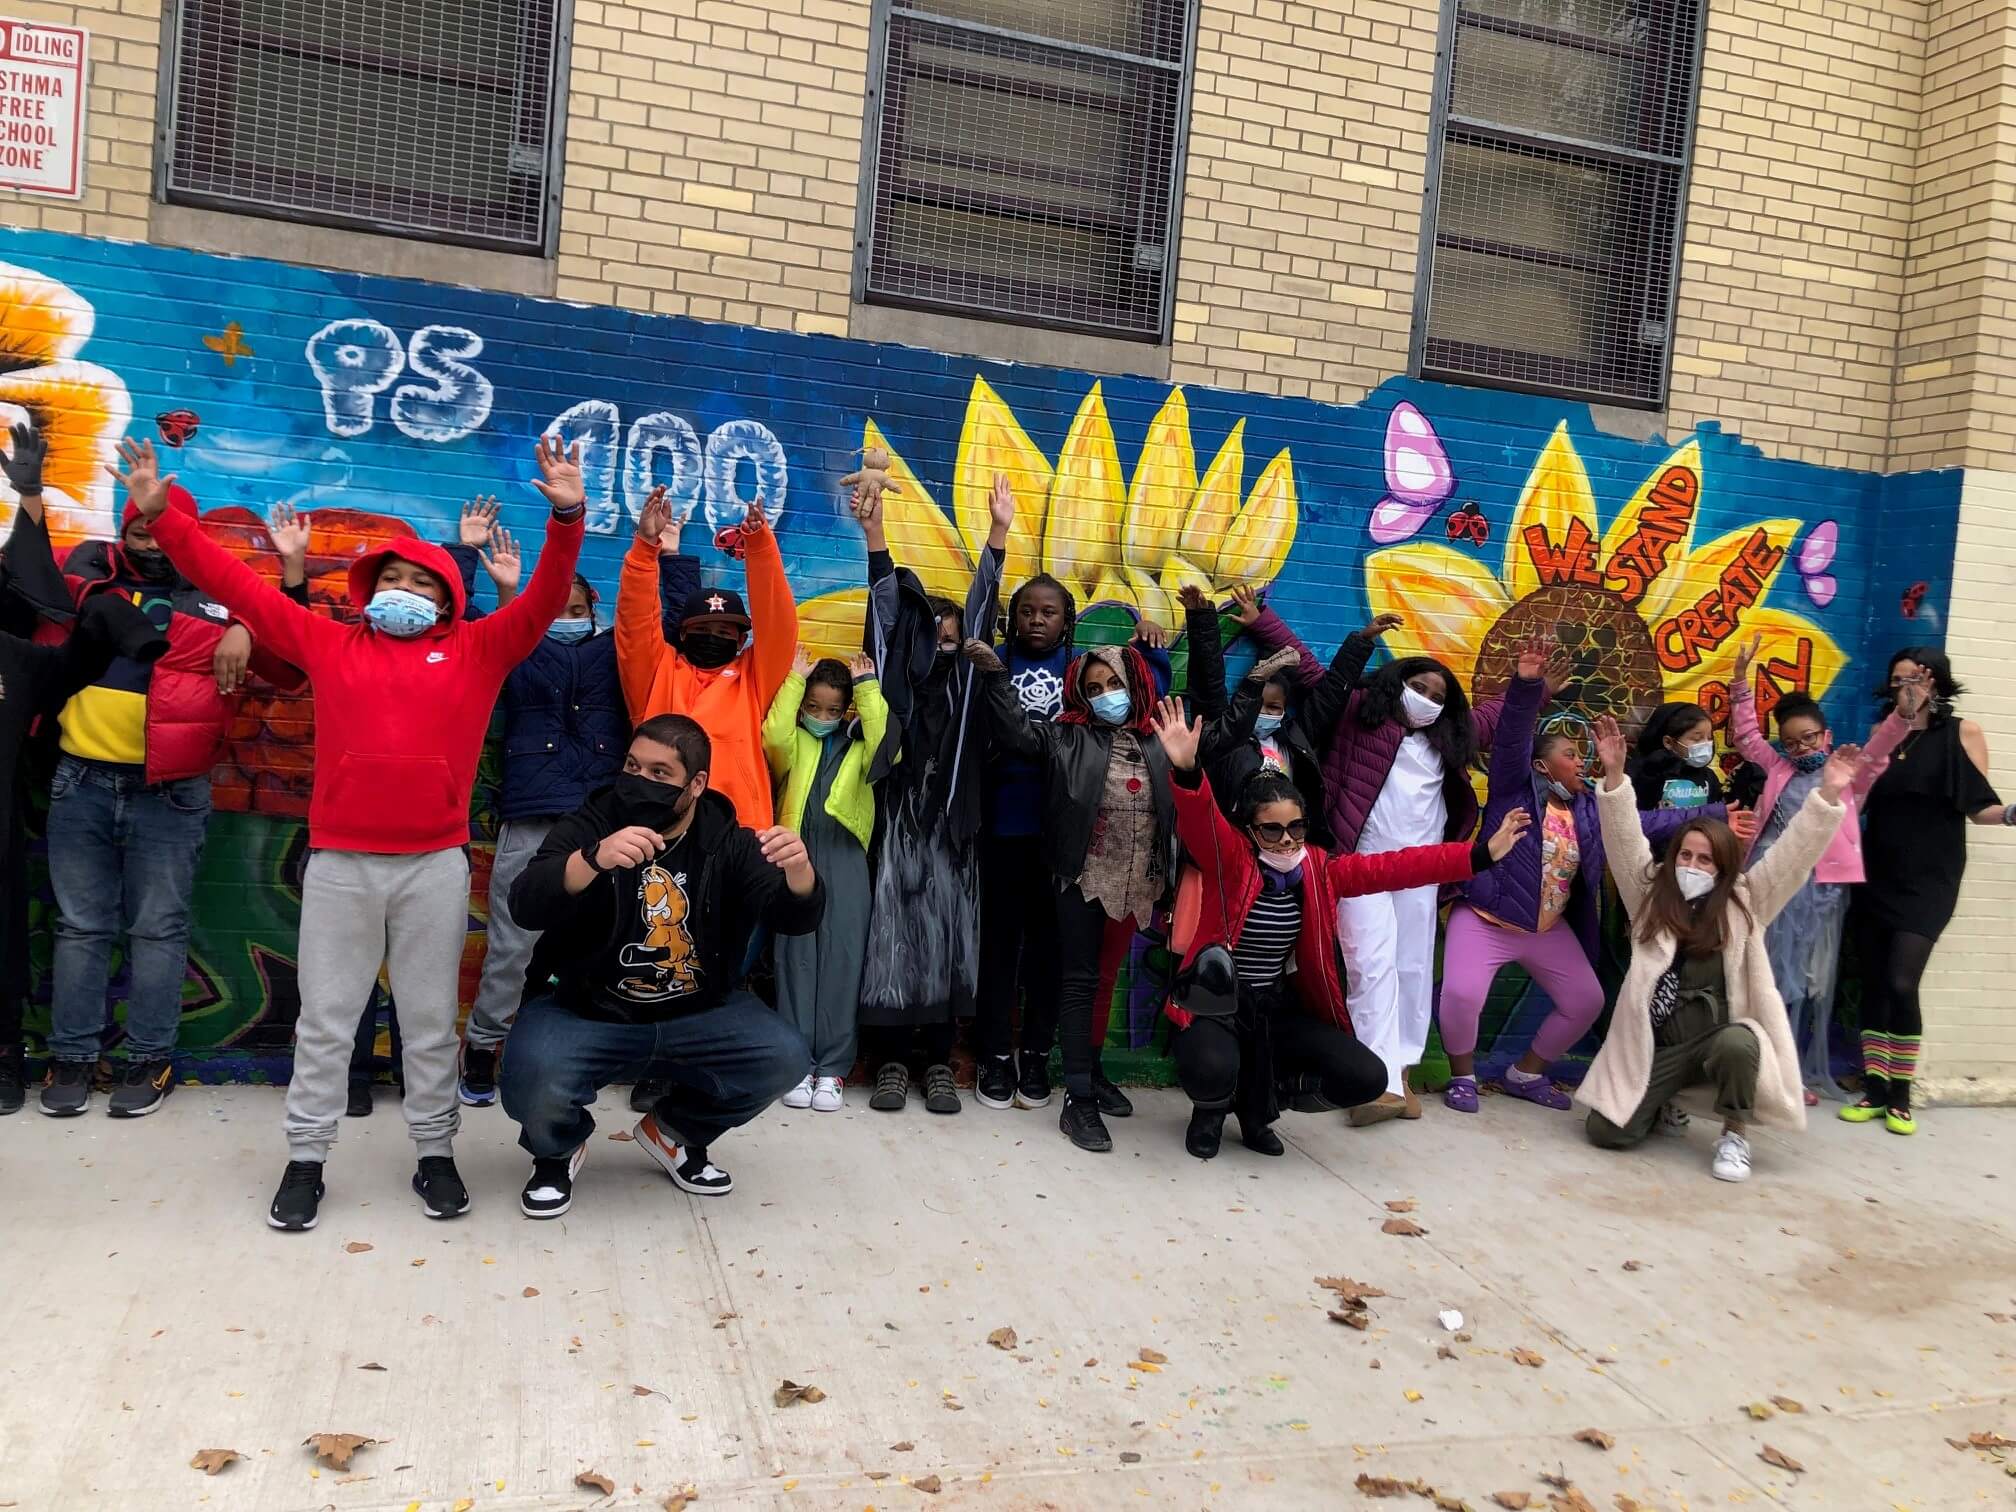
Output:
(1555, 197)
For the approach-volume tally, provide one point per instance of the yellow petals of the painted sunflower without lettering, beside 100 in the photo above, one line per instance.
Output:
(1110, 537)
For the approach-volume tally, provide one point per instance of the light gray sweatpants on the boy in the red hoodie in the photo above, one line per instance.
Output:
(410, 914)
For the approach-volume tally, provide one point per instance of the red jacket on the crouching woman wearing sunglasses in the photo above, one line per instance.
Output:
(1225, 900)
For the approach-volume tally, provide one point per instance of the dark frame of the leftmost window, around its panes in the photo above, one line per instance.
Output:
(203, 176)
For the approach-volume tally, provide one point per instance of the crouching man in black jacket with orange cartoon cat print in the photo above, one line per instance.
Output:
(648, 898)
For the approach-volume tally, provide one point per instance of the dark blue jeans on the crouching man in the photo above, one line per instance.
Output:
(725, 1063)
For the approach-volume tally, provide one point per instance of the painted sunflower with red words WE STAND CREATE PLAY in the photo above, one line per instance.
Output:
(1646, 614)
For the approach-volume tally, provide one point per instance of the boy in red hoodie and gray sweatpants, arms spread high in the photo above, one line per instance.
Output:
(404, 701)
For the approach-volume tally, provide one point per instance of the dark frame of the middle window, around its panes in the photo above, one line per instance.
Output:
(892, 281)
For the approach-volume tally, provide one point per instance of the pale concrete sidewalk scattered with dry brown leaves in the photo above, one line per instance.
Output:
(150, 1313)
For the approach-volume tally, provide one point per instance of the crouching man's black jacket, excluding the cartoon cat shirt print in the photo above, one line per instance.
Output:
(735, 892)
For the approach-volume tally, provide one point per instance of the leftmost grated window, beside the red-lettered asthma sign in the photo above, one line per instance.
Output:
(416, 118)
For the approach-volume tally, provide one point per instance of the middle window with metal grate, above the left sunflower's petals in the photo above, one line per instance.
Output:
(1025, 160)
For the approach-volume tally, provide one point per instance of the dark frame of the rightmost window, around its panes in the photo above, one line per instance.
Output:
(1660, 158)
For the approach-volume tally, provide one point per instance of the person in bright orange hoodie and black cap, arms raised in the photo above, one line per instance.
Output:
(727, 666)
